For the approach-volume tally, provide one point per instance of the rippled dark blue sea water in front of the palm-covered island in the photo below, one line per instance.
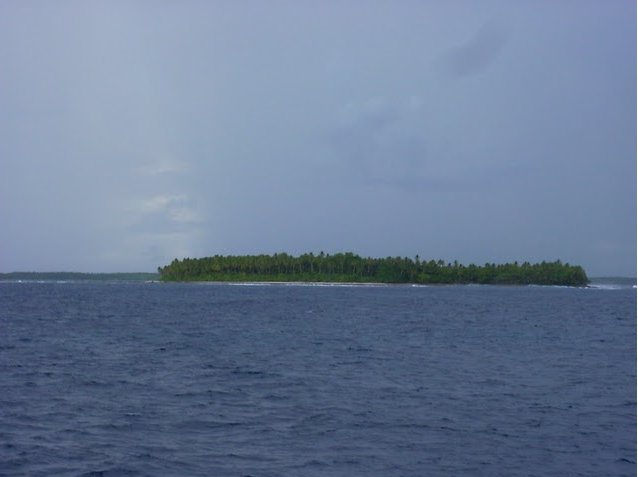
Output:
(109, 379)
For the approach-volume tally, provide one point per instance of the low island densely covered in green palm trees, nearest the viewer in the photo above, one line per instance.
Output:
(352, 268)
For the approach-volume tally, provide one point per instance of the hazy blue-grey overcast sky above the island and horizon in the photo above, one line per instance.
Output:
(136, 132)
